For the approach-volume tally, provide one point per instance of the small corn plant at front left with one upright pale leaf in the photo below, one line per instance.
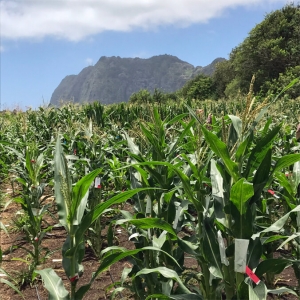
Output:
(71, 204)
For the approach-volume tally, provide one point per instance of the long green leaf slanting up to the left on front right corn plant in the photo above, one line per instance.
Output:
(220, 149)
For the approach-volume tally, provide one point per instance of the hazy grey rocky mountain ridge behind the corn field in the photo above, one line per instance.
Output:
(115, 79)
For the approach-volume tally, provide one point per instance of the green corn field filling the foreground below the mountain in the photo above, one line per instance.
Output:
(214, 181)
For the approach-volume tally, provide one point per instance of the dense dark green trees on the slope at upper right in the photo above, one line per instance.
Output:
(271, 52)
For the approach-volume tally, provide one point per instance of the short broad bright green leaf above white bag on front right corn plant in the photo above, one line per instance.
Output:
(240, 193)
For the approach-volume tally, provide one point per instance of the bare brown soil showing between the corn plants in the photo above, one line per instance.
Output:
(103, 285)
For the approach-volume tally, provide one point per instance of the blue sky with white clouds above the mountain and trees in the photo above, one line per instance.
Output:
(43, 41)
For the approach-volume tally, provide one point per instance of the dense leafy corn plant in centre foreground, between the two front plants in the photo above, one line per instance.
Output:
(151, 271)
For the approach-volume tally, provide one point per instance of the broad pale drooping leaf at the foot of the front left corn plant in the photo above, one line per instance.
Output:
(53, 283)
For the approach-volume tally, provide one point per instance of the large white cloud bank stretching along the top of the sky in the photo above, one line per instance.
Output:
(78, 19)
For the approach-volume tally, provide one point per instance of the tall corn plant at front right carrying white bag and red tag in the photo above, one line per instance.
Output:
(238, 179)
